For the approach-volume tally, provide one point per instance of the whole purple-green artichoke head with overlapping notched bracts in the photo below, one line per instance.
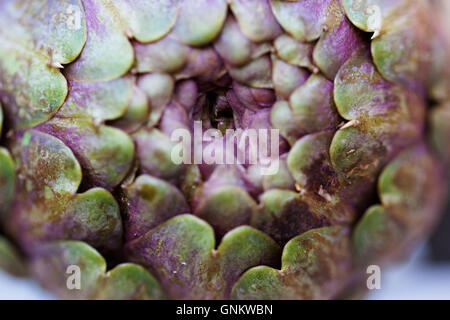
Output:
(93, 91)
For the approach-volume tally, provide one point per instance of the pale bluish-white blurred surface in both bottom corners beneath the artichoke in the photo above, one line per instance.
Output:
(414, 279)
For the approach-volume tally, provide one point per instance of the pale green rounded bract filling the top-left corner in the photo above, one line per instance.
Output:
(27, 24)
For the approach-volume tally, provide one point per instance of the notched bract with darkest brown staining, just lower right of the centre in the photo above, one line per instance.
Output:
(319, 201)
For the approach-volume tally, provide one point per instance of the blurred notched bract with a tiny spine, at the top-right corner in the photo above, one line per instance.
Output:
(400, 55)
